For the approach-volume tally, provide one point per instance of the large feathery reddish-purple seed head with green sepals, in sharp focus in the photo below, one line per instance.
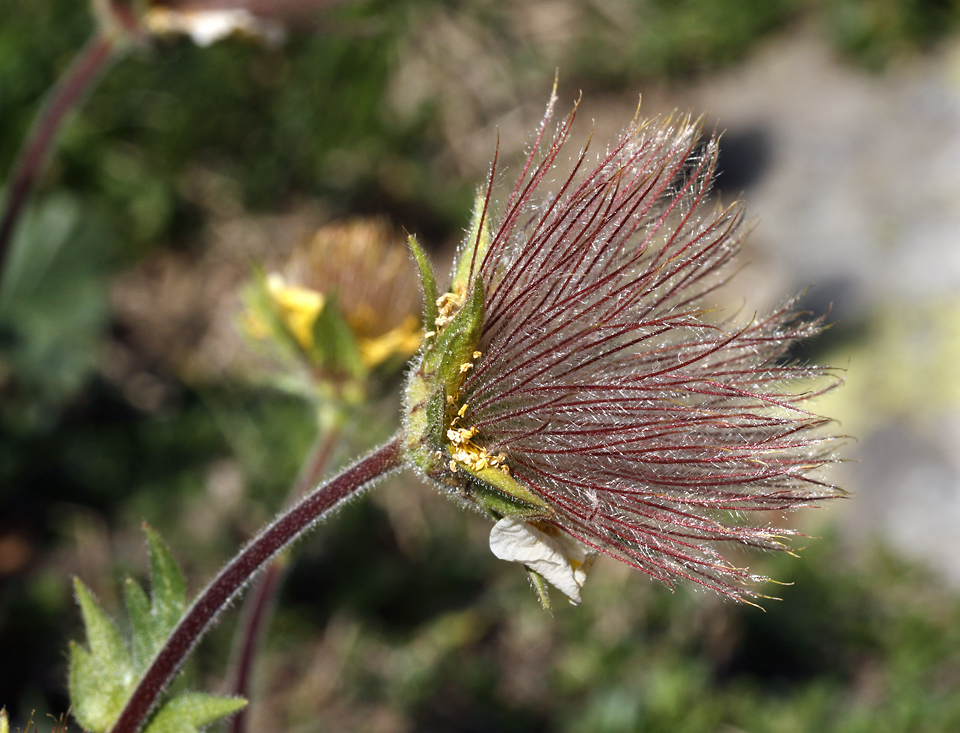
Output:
(580, 387)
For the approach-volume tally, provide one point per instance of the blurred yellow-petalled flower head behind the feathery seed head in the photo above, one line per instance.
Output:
(343, 309)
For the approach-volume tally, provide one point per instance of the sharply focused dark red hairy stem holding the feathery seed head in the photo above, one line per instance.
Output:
(238, 572)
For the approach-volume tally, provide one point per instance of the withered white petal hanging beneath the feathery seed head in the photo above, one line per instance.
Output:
(561, 560)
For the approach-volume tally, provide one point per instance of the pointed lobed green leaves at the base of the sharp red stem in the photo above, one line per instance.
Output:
(105, 673)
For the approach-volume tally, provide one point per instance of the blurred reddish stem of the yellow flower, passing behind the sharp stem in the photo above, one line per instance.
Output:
(257, 608)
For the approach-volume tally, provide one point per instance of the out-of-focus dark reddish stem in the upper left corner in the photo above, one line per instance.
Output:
(66, 95)
